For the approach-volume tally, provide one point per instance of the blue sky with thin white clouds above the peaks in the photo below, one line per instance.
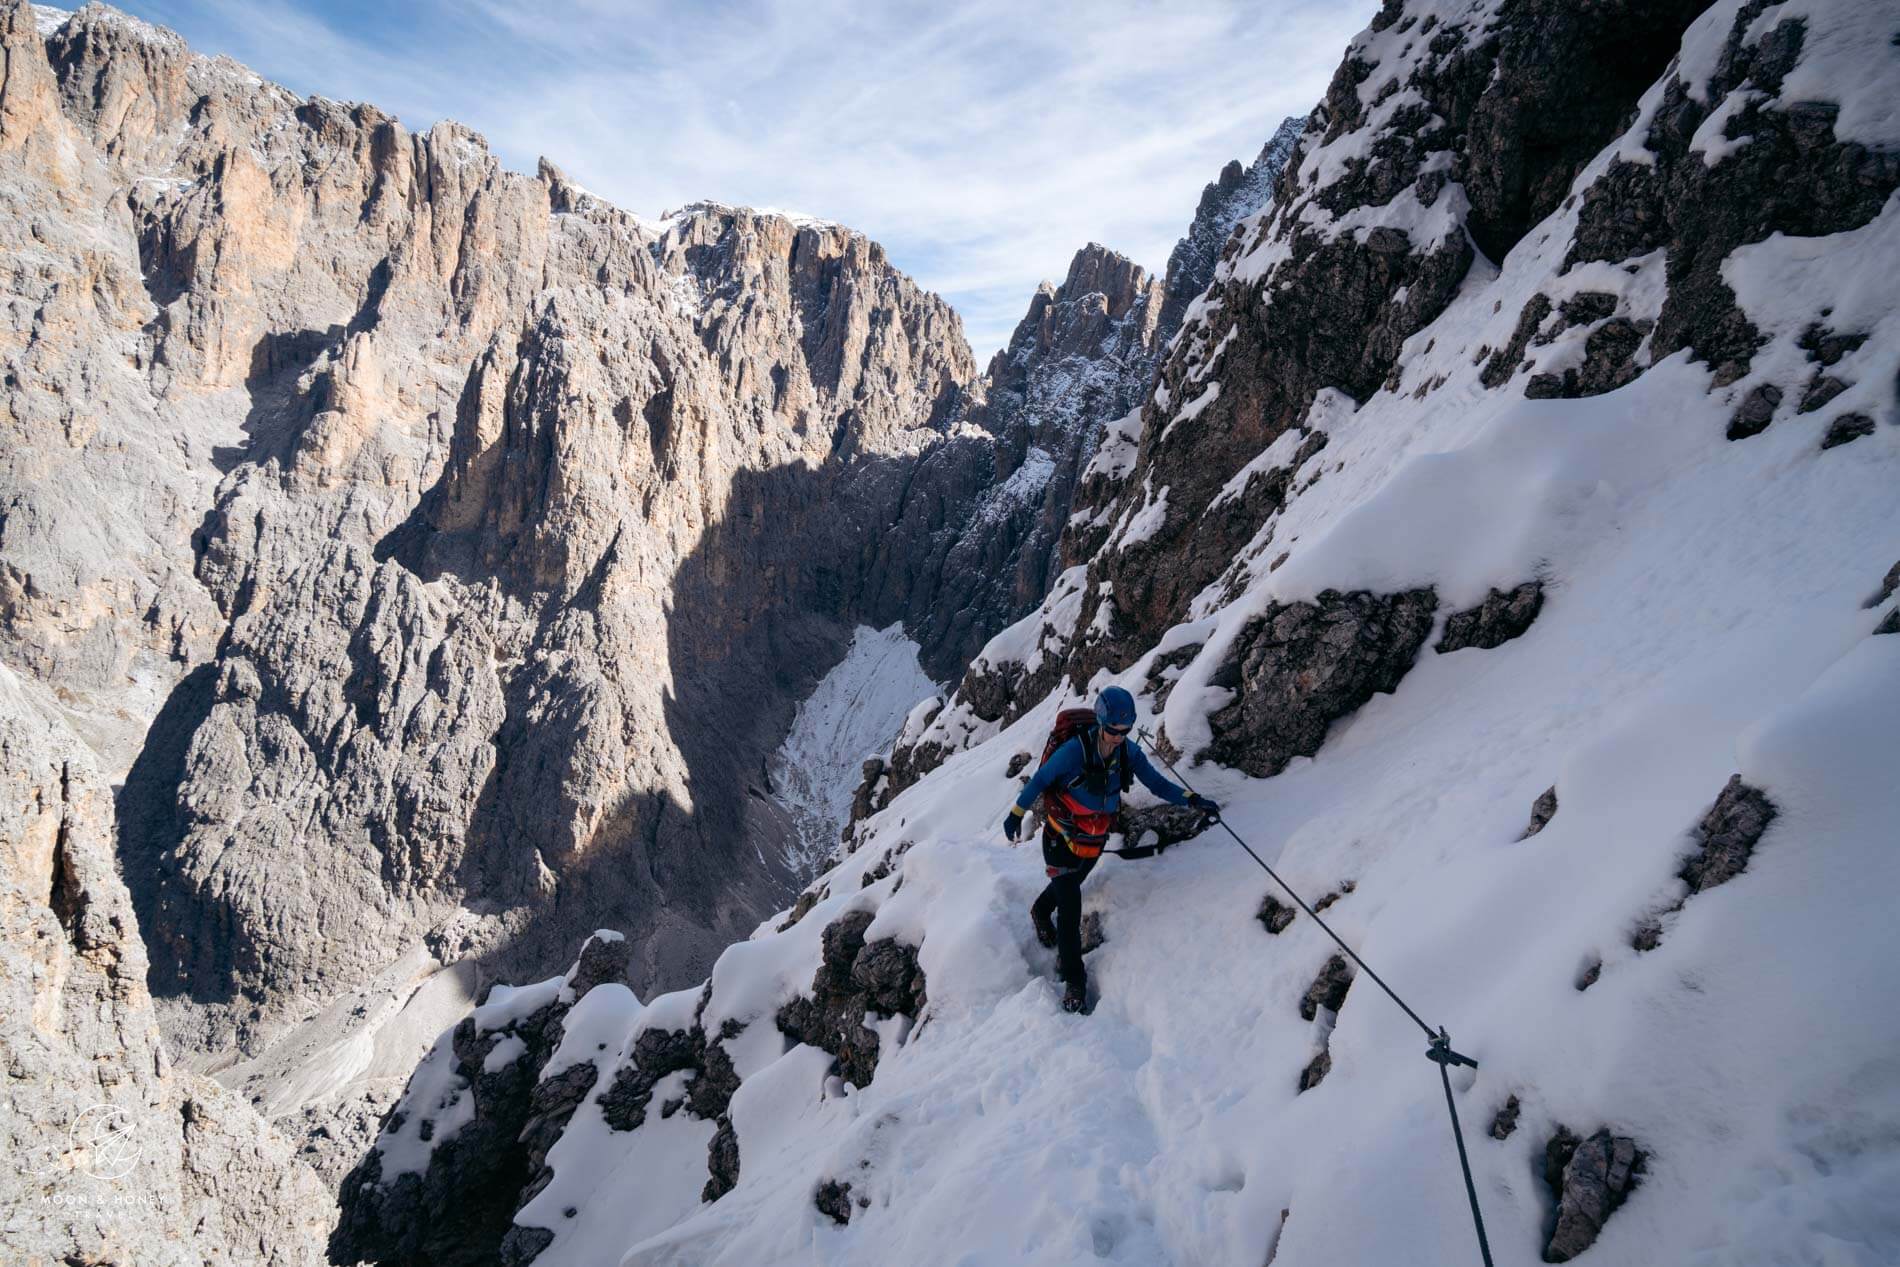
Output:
(981, 143)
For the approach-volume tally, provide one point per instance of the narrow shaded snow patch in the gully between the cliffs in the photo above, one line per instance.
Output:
(850, 715)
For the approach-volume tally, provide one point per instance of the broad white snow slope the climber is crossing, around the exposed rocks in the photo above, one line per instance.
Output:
(1690, 635)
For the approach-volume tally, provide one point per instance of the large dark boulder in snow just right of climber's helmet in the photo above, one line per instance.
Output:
(1304, 666)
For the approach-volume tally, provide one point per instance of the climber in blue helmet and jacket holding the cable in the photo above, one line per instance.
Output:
(1088, 765)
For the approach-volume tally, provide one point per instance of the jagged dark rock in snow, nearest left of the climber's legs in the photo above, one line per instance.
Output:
(856, 977)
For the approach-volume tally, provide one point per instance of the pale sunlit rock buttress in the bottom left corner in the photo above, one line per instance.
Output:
(117, 1152)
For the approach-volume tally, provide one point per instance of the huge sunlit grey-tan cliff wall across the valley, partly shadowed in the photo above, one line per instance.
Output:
(440, 512)
